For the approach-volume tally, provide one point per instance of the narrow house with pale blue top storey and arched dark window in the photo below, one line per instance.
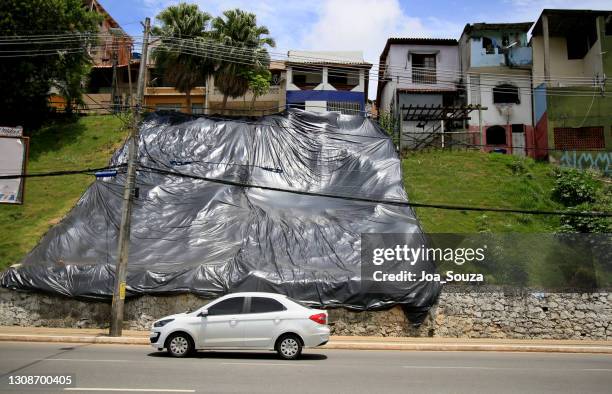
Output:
(496, 65)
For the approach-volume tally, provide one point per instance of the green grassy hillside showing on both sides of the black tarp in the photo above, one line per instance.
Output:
(461, 178)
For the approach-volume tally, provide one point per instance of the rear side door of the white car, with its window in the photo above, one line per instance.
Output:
(262, 322)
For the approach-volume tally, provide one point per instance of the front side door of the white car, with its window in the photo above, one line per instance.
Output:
(222, 326)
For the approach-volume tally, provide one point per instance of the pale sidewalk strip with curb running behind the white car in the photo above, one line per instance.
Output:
(345, 345)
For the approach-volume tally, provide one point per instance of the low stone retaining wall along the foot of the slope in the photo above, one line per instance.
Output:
(482, 314)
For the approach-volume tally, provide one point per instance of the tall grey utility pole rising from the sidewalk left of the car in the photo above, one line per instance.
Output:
(128, 196)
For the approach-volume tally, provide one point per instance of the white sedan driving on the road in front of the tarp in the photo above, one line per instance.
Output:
(243, 321)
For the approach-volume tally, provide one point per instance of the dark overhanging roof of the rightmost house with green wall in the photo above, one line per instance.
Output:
(563, 21)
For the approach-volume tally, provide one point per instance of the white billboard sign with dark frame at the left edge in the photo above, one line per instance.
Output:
(13, 158)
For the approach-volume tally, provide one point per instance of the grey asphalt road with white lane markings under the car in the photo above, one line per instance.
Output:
(130, 368)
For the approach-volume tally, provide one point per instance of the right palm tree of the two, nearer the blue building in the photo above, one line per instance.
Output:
(243, 44)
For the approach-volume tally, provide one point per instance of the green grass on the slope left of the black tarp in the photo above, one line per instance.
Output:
(87, 142)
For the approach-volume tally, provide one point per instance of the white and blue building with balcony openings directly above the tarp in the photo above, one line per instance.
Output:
(327, 81)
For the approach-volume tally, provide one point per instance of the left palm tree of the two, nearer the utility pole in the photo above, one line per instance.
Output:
(174, 57)
